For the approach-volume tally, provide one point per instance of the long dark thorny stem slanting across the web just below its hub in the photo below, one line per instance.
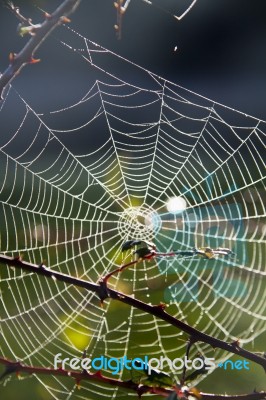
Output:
(103, 292)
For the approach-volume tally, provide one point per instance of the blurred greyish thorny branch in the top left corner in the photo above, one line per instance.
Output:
(38, 34)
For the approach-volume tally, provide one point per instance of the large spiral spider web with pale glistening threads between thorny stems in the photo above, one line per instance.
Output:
(79, 179)
